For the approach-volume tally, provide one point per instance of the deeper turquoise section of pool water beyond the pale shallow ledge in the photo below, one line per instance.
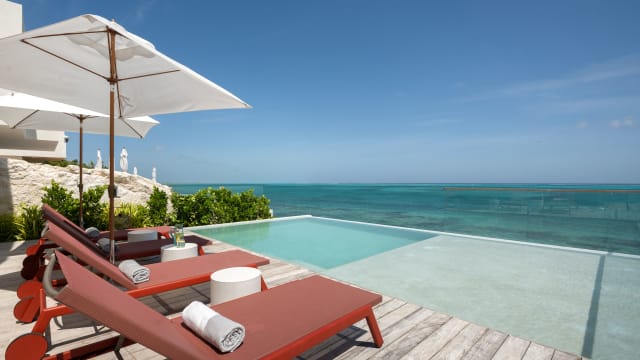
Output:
(318, 243)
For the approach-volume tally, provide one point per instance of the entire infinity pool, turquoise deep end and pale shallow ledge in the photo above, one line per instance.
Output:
(581, 301)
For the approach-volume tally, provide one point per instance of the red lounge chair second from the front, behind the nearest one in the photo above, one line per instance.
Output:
(164, 276)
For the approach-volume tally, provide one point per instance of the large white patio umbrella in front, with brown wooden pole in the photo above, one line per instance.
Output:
(87, 59)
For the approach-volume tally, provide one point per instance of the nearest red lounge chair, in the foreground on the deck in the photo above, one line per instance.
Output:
(280, 323)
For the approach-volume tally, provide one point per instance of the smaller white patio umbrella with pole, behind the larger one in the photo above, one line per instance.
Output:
(22, 111)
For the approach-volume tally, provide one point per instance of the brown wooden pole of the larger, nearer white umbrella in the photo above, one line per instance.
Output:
(112, 190)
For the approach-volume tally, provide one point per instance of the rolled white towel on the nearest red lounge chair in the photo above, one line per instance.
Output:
(224, 333)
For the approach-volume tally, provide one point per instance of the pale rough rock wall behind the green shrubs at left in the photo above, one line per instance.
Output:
(21, 182)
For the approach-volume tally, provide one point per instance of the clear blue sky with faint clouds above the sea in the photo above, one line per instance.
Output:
(390, 91)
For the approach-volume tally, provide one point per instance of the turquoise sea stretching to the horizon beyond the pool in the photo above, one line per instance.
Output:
(600, 217)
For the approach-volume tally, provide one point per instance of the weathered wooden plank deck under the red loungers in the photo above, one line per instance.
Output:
(409, 331)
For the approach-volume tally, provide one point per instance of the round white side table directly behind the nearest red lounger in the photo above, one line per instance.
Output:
(231, 283)
